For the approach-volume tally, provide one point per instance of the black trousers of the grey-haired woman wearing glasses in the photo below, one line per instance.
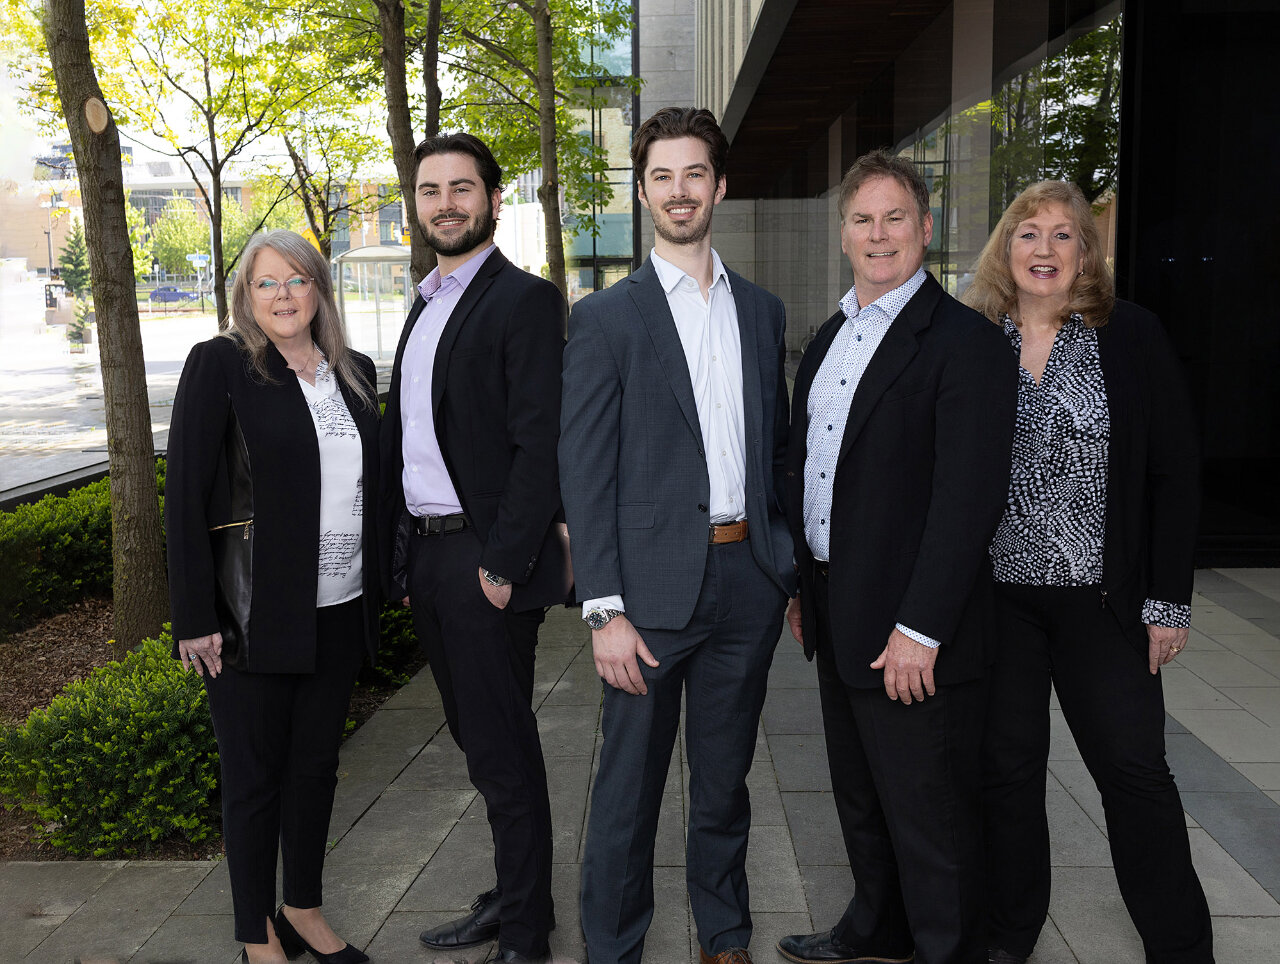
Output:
(278, 741)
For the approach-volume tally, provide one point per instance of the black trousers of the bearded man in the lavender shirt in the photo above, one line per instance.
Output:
(483, 663)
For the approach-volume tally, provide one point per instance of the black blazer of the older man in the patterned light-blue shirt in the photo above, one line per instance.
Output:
(921, 485)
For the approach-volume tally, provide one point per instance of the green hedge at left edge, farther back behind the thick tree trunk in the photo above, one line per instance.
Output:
(56, 552)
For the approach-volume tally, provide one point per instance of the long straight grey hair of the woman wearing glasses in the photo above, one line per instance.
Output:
(327, 330)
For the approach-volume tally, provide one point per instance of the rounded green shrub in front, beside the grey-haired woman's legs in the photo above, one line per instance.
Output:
(120, 761)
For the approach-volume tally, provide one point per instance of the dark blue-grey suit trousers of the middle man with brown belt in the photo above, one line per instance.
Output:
(720, 664)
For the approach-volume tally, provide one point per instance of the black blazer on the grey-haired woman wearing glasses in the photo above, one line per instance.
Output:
(285, 460)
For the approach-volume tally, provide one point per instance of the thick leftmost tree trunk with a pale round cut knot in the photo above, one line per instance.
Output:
(140, 588)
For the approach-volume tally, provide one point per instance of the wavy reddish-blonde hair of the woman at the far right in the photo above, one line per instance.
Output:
(994, 293)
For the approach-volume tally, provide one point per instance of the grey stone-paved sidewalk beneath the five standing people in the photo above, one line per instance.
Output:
(412, 844)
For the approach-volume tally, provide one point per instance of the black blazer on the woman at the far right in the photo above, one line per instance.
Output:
(1153, 469)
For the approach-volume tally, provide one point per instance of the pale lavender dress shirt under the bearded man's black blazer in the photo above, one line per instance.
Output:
(428, 488)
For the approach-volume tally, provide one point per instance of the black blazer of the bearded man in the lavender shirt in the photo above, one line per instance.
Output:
(496, 404)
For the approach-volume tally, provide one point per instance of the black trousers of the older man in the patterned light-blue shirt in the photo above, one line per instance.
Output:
(907, 787)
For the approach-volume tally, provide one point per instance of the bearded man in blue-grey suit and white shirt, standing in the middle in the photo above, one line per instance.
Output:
(673, 440)
